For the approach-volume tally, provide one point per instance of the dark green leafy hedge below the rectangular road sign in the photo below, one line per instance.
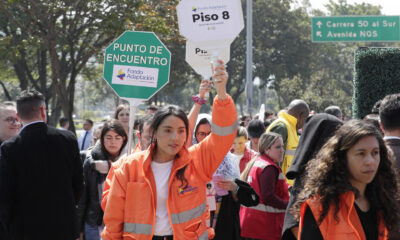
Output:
(377, 74)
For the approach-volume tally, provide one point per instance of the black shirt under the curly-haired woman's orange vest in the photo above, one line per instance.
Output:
(368, 221)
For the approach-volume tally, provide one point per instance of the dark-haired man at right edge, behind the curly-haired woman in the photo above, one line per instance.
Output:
(389, 114)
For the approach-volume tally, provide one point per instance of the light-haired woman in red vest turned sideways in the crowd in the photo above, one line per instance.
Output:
(265, 221)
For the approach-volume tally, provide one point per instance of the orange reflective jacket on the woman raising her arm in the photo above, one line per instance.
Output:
(131, 206)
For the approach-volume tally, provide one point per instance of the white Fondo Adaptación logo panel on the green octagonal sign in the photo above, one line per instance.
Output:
(135, 76)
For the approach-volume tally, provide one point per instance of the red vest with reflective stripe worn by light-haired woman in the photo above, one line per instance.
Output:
(263, 221)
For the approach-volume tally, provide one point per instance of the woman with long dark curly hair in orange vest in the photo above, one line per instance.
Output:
(351, 189)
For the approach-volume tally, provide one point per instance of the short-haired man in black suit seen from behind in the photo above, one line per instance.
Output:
(40, 176)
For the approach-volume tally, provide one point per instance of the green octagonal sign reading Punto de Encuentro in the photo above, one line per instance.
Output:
(137, 65)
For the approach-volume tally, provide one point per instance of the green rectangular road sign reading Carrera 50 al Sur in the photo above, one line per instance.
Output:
(356, 29)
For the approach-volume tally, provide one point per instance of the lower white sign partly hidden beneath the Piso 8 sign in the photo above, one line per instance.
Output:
(200, 59)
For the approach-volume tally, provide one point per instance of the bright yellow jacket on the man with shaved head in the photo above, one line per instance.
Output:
(292, 141)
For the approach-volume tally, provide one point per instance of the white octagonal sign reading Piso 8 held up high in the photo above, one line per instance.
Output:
(209, 20)
